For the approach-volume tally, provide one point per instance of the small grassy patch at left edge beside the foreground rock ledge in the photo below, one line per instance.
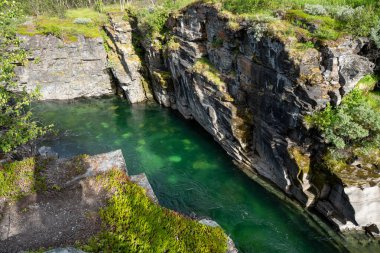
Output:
(21, 178)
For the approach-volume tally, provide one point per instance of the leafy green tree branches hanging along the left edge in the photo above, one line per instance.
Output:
(16, 124)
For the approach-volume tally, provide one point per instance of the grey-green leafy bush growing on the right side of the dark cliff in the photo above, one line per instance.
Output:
(355, 122)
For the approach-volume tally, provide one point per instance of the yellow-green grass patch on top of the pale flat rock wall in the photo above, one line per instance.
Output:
(65, 28)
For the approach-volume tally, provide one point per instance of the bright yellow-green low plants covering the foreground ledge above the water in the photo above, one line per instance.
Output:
(133, 223)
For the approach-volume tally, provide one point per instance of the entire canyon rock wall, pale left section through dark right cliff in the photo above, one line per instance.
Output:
(250, 90)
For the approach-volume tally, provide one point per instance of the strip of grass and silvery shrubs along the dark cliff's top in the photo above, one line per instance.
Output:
(357, 17)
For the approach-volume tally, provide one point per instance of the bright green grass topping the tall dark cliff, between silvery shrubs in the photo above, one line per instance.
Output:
(329, 27)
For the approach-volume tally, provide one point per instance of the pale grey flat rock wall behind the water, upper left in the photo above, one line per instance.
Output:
(65, 70)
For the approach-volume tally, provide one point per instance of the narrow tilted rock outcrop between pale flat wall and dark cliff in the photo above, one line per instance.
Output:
(124, 62)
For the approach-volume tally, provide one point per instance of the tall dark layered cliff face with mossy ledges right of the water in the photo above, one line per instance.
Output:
(251, 93)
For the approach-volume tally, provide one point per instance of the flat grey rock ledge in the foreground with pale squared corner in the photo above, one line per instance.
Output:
(61, 217)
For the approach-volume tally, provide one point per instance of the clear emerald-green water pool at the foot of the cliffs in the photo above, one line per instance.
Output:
(188, 171)
